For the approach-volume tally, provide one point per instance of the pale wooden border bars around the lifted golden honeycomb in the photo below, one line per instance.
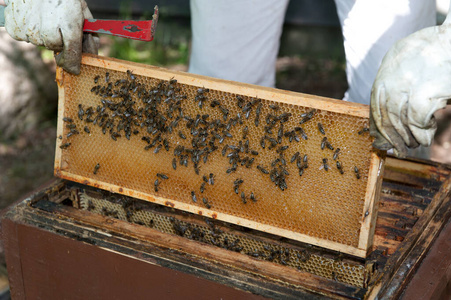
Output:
(369, 212)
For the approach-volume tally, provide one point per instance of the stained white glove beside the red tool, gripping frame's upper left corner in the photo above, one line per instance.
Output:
(55, 24)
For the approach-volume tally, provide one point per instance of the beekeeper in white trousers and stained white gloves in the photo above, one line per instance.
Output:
(239, 40)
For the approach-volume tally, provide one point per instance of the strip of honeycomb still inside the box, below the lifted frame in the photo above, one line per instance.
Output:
(349, 272)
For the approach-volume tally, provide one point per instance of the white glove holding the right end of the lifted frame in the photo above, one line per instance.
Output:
(412, 83)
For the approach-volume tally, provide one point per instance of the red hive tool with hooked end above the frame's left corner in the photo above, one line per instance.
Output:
(136, 30)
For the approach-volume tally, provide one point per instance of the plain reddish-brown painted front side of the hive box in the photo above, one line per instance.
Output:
(56, 267)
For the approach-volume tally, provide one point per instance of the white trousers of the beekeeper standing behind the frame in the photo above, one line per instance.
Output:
(239, 39)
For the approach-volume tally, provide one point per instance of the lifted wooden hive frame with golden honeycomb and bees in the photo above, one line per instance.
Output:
(258, 157)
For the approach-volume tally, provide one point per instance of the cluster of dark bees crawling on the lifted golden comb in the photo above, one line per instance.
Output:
(122, 119)
